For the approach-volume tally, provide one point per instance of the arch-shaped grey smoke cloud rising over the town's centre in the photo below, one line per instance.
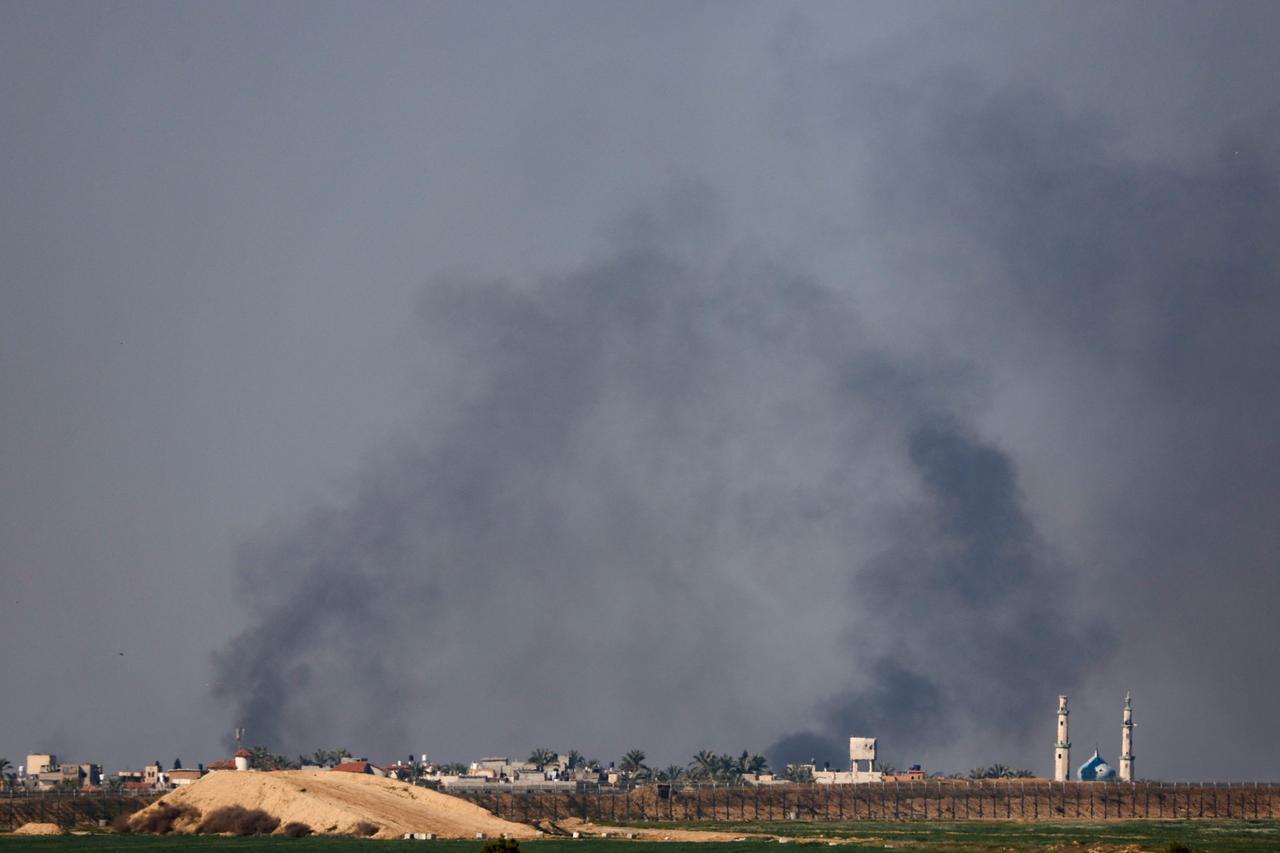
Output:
(680, 486)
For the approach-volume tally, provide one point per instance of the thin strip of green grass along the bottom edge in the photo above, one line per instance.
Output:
(1155, 837)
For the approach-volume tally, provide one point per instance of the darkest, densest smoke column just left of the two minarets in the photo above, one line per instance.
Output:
(976, 609)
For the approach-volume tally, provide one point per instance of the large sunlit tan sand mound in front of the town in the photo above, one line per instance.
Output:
(336, 802)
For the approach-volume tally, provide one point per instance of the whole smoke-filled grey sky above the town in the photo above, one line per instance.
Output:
(689, 371)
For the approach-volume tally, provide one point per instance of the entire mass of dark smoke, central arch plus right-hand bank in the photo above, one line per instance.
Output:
(689, 496)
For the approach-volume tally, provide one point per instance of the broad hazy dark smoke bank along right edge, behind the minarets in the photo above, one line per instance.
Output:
(1124, 314)
